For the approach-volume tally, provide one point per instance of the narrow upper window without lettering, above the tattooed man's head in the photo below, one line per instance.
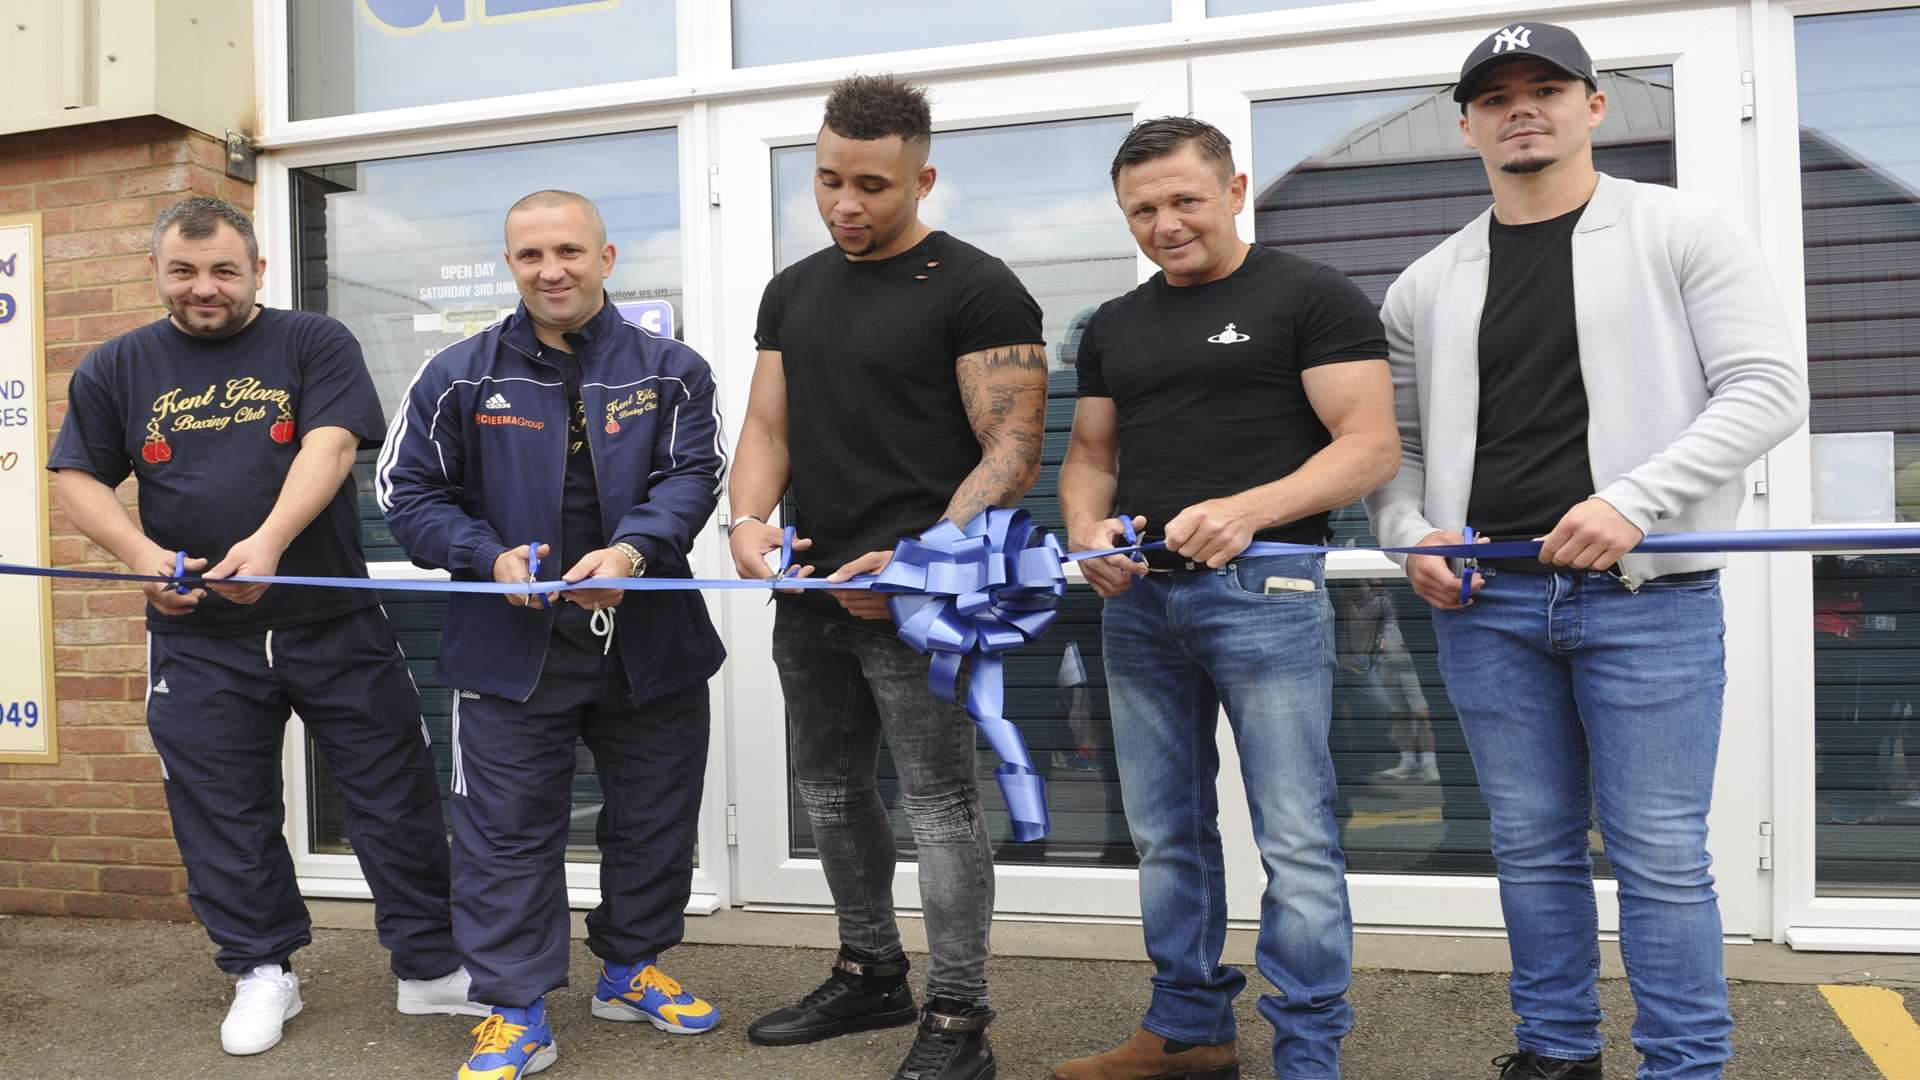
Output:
(782, 32)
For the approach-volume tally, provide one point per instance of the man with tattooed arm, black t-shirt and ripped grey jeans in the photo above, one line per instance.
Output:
(901, 381)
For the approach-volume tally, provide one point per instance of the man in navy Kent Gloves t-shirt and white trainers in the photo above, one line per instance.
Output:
(243, 424)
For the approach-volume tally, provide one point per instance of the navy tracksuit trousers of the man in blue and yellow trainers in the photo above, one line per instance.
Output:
(514, 768)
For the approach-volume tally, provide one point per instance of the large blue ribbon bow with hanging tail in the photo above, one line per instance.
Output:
(982, 591)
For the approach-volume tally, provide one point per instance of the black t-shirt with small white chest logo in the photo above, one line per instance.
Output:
(1207, 381)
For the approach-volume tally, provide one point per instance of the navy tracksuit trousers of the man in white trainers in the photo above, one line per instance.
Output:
(218, 710)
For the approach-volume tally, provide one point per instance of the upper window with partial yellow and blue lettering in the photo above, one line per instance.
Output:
(385, 55)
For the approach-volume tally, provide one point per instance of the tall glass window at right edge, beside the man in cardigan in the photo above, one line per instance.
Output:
(1861, 216)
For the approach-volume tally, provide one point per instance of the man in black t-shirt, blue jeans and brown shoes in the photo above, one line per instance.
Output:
(1239, 395)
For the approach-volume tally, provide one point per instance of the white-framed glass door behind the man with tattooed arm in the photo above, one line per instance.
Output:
(1024, 176)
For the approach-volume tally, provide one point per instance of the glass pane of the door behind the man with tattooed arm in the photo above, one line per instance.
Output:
(994, 184)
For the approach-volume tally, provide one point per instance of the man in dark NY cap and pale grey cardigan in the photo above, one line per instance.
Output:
(1589, 362)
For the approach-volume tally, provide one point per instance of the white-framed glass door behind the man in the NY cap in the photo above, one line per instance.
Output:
(1356, 160)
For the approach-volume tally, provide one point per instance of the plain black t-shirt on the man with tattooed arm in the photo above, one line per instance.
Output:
(876, 431)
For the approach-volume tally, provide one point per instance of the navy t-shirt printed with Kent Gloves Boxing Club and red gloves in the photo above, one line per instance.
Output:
(210, 428)
